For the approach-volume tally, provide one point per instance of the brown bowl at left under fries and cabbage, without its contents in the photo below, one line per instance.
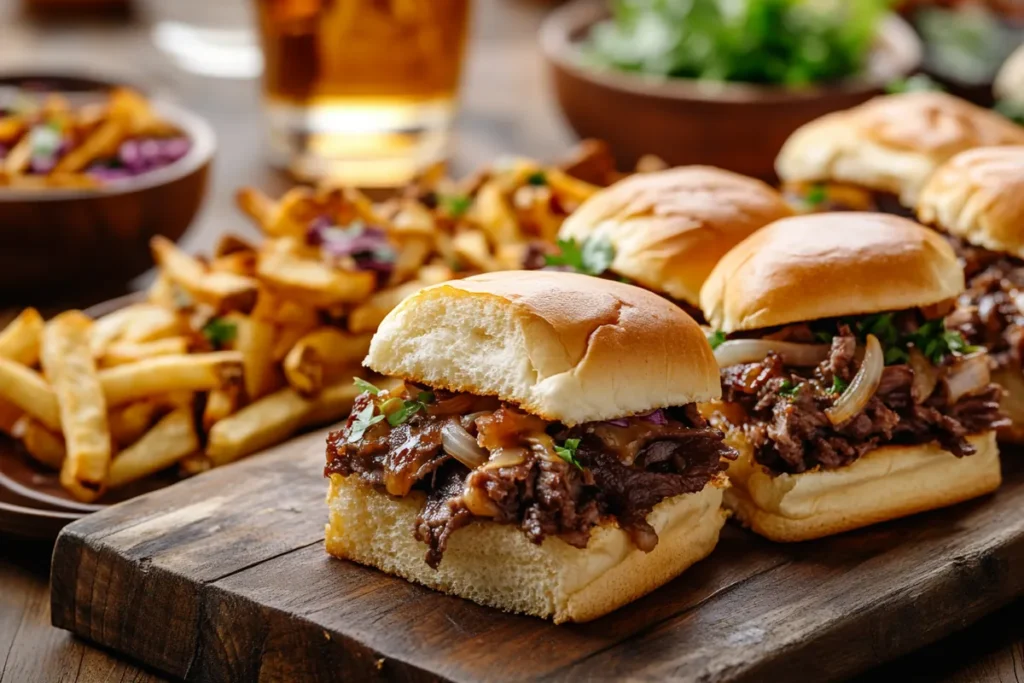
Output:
(54, 240)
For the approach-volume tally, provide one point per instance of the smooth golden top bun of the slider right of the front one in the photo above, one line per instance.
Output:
(830, 265)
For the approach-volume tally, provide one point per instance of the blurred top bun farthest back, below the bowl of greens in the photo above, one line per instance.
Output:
(891, 144)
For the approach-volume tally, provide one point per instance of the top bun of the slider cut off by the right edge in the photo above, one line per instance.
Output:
(979, 196)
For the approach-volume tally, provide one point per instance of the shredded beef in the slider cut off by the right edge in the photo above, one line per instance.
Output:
(991, 313)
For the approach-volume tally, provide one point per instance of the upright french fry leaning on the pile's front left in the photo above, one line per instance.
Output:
(70, 368)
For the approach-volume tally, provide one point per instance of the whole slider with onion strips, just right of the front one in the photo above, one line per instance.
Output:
(848, 401)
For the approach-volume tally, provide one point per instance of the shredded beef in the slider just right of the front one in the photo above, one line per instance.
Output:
(790, 431)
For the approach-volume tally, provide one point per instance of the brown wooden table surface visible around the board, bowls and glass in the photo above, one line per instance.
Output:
(506, 109)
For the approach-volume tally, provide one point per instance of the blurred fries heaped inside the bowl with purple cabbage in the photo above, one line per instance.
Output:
(48, 144)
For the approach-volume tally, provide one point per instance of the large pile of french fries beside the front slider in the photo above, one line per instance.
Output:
(232, 355)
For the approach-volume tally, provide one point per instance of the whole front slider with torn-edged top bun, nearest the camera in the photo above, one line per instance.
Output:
(544, 455)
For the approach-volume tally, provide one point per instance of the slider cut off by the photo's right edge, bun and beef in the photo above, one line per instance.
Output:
(977, 198)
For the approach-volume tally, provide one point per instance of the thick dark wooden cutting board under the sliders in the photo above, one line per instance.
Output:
(224, 578)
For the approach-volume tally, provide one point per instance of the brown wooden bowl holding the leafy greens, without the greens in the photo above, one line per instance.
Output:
(732, 125)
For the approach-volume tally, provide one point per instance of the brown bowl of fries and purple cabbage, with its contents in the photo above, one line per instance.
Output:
(90, 172)
